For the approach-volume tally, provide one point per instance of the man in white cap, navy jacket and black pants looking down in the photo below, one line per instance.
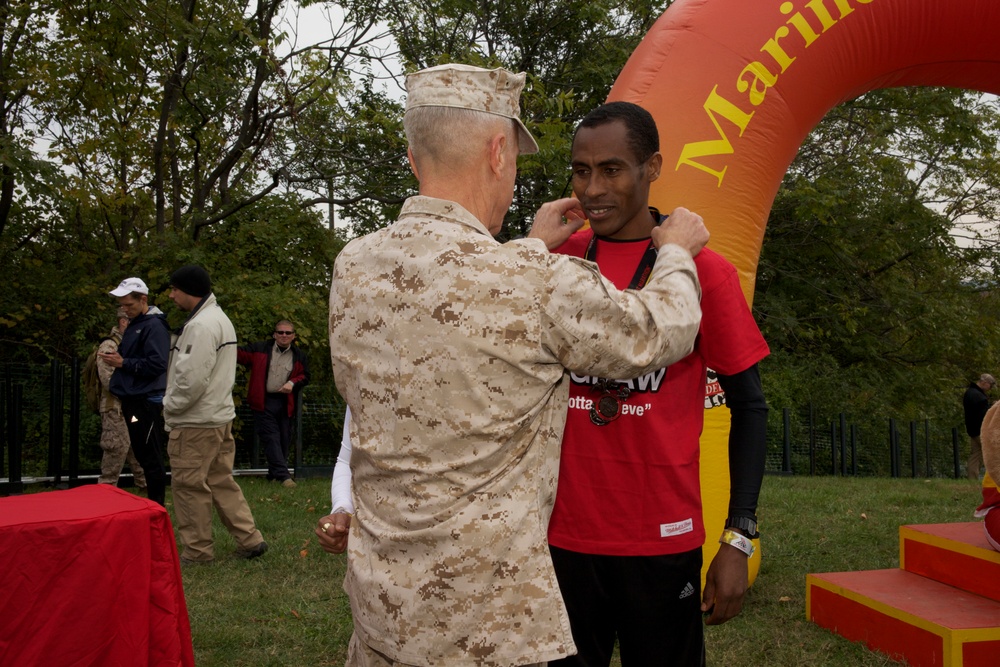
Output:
(140, 380)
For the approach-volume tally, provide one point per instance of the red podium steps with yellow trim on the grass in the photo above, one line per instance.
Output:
(941, 608)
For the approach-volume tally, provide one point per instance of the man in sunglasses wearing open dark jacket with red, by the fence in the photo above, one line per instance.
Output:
(278, 372)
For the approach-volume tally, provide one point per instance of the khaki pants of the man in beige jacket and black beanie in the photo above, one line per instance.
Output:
(201, 472)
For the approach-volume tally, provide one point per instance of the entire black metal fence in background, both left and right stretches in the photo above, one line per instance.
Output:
(48, 435)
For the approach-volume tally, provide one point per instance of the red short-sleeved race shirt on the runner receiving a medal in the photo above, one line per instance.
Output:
(632, 487)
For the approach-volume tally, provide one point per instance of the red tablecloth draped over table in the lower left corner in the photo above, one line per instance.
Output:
(90, 576)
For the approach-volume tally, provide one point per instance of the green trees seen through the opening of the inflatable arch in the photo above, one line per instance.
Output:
(869, 304)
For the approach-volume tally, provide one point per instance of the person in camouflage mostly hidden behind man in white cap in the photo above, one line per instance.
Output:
(114, 433)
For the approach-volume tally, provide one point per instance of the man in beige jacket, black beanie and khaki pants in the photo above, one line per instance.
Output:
(198, 410)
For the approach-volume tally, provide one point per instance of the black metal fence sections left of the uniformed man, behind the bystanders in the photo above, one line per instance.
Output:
(48, 435)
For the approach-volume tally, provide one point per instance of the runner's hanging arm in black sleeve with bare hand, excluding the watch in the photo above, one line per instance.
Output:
(727, 579)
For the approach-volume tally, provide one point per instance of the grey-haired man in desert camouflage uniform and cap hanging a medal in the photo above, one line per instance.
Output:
(452, 351)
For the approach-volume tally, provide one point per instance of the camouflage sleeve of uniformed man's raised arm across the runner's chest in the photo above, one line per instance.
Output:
(594, 328)
